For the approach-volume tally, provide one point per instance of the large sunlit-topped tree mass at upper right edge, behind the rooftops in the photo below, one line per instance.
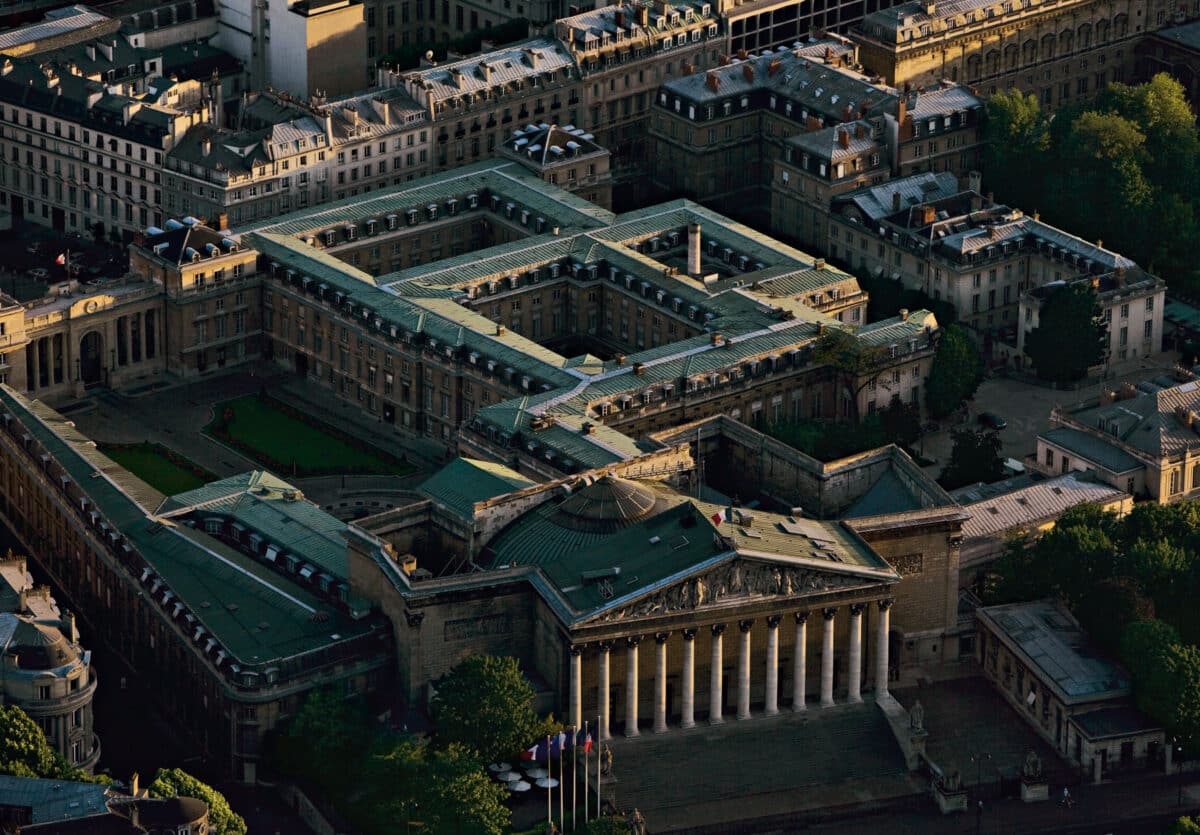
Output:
(1123, 170)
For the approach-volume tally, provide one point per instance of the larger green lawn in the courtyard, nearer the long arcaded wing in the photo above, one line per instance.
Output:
(286, 443)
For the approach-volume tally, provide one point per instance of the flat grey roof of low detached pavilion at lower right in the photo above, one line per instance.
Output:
(1051, 641)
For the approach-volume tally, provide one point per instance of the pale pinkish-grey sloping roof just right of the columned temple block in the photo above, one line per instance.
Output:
(1033, 504)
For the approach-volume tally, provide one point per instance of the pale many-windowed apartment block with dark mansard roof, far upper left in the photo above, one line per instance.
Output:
(85, 135)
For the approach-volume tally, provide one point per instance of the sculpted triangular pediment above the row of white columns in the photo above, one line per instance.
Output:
(733, 584)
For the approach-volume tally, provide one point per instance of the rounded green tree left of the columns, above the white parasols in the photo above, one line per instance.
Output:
(485, 704)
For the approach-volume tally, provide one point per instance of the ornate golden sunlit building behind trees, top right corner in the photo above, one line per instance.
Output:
(1061, 51)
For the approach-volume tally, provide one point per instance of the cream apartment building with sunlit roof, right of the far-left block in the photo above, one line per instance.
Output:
(289, 155)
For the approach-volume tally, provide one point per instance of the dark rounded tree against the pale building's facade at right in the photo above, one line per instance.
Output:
(1070, 338)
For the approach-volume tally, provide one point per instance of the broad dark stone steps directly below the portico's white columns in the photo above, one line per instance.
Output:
(791, 764)
